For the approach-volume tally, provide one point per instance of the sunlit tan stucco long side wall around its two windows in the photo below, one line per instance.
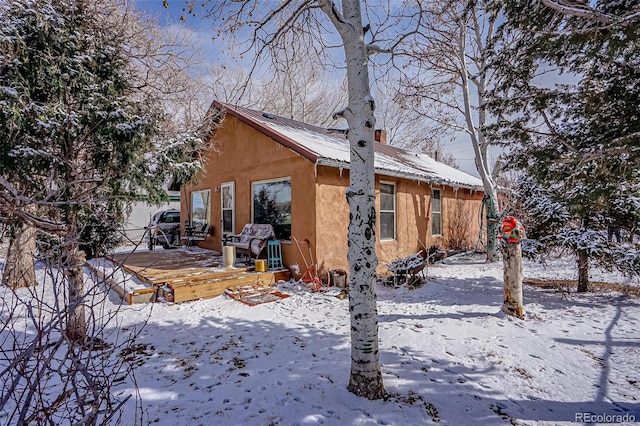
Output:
(413, 218)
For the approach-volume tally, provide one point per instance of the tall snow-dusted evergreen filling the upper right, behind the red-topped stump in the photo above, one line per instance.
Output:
(577, 139)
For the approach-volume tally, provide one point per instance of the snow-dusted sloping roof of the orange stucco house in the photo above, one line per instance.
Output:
(331, 148)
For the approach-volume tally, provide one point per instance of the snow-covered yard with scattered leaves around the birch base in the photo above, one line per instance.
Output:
(448, 355)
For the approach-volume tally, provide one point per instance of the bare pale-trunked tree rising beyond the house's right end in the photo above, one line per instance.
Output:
(448, 78)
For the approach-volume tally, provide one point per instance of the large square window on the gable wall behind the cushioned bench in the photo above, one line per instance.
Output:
(272, 204)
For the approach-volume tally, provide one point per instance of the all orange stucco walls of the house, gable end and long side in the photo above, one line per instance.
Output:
(319, 209)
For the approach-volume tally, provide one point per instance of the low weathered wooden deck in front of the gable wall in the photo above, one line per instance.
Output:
(189, 275)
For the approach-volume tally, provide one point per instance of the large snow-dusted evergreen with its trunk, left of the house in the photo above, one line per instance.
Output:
(77, 137)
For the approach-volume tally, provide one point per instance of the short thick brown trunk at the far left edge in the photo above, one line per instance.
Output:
(19, 269)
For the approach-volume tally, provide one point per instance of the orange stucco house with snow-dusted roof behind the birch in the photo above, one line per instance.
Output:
(269, 169)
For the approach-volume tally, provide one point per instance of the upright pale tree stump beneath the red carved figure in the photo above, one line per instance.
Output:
(512, 257)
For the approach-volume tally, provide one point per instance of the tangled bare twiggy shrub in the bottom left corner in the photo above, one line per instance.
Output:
(45, 378)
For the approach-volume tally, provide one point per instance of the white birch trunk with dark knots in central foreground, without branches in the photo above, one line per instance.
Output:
(365, 378)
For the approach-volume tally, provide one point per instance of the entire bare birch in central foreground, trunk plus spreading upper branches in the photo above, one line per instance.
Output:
(319, 26)
